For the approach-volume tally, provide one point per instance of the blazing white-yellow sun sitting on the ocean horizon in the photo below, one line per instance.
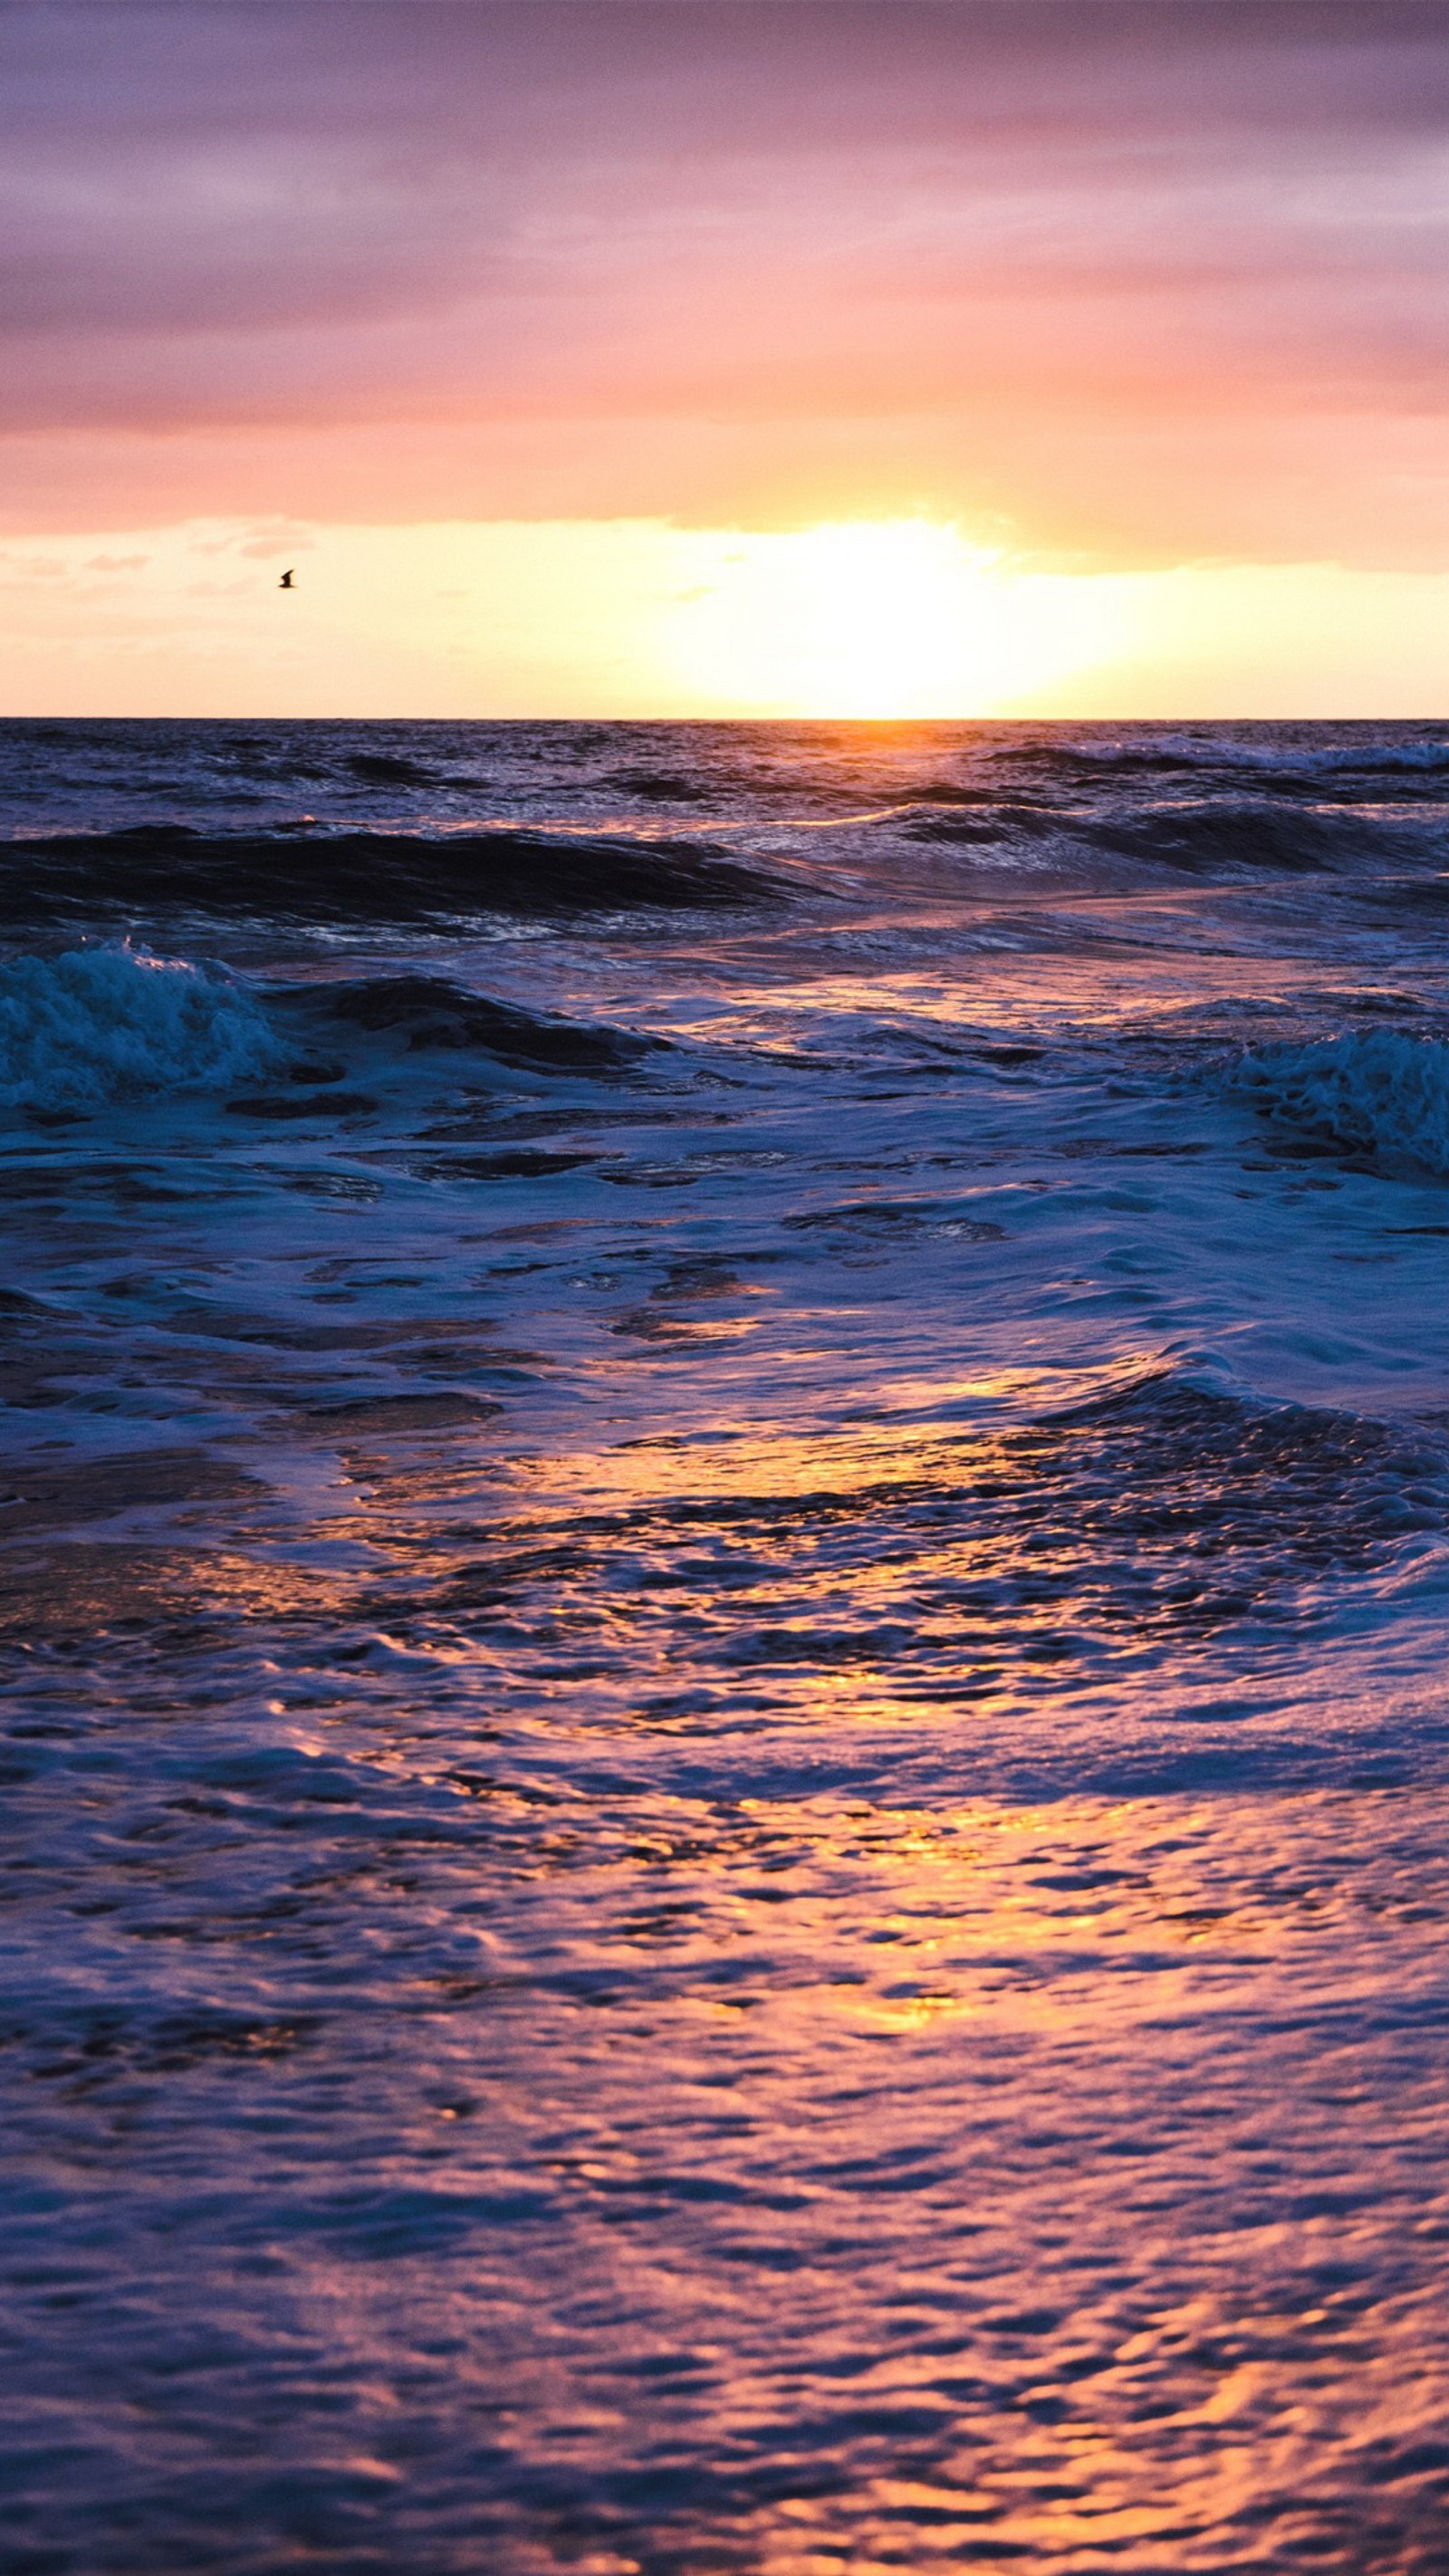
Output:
(869, 620)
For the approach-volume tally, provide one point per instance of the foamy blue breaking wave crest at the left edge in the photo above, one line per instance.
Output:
(94, 1024)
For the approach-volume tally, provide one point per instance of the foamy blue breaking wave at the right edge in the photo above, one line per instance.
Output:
(1378, 1094)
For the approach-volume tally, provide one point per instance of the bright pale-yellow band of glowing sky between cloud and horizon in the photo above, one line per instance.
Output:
(598, 620)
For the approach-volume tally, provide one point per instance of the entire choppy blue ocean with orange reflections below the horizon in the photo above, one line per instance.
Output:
(727, 1547)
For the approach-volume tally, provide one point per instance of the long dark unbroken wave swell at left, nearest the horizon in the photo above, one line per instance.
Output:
(302, 875)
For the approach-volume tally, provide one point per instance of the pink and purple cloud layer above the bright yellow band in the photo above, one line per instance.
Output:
(660, 256)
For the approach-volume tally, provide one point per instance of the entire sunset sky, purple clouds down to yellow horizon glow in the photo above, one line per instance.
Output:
(724, 357)
